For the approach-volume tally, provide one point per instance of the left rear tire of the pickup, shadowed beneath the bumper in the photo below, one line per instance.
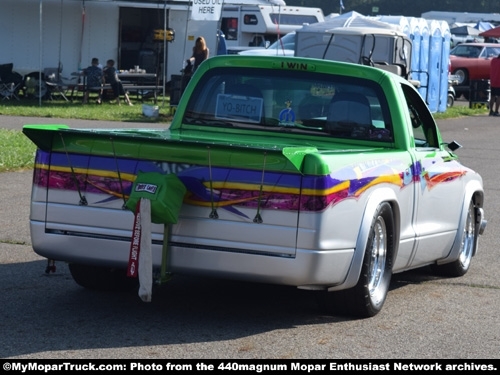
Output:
(102, 278)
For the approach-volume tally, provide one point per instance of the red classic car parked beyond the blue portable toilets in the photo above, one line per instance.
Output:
(471, 61)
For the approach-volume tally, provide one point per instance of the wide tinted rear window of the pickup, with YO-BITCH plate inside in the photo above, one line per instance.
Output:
(296, 101)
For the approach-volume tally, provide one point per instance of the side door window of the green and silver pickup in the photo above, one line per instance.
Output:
(422, 122)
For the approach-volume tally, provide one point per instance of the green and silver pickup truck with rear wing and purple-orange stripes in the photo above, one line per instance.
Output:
(322, 175)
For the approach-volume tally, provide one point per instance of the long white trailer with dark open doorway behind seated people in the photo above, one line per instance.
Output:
(38, 34)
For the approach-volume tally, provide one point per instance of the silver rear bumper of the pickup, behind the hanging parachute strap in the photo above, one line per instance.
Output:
(310, 269)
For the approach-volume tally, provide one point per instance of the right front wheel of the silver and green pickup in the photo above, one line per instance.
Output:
(461, 265)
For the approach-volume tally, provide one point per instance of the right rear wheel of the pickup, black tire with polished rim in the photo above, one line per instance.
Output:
(366, 299)
